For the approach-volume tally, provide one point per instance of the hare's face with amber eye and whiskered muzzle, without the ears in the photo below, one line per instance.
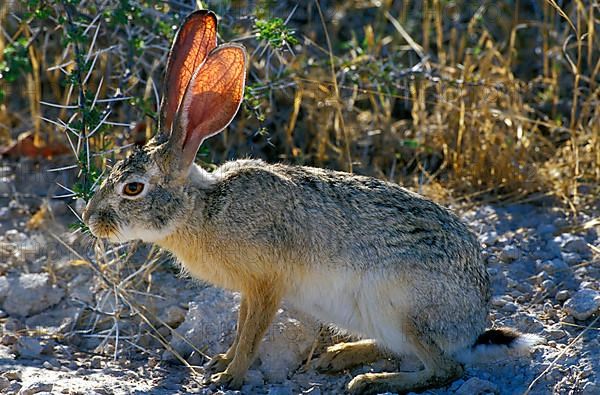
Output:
(138, 200)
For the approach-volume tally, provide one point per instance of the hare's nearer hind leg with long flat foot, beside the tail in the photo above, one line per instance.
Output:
(439, 370)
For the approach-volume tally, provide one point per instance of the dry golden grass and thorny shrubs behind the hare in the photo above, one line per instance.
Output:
(467, 98)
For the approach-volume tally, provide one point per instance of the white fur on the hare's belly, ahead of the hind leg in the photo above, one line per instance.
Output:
(365, 304)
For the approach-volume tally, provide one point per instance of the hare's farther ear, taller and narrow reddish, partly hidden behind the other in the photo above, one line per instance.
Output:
(194, 40)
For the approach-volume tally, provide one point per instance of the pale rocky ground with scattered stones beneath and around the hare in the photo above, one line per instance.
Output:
(74, 327)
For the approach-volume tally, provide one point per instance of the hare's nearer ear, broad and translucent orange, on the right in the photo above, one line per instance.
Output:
(211, 100)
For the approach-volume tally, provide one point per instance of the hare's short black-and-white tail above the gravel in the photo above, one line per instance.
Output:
(499, 343)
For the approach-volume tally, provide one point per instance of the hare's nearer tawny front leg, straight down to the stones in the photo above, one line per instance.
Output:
(263, 299)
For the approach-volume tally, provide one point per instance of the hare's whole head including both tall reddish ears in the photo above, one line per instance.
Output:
(145, 196)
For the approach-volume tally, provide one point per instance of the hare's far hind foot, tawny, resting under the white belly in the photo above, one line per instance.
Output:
(343, 356)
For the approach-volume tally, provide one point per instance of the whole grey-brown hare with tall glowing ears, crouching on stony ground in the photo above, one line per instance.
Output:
(363, 254)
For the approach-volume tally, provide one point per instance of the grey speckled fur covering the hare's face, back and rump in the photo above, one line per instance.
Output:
(311, 216)
